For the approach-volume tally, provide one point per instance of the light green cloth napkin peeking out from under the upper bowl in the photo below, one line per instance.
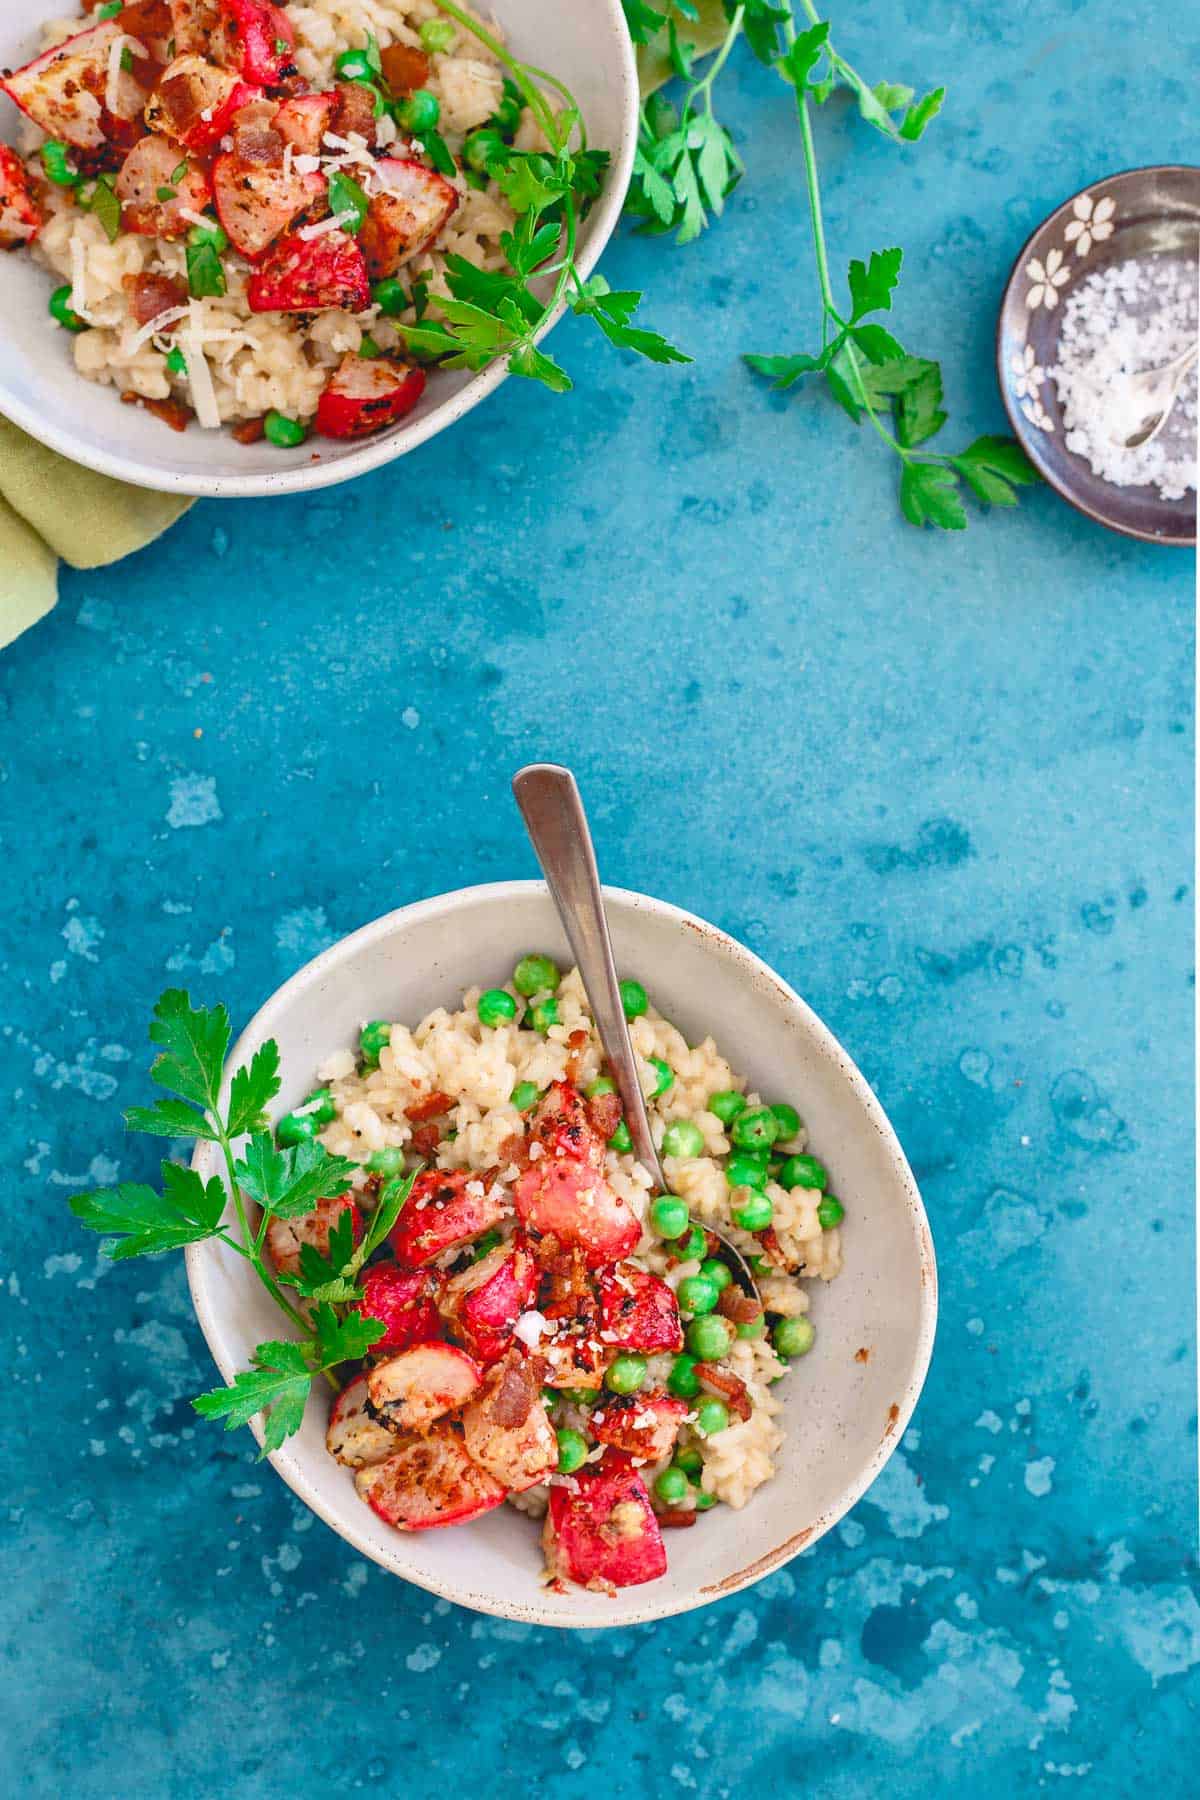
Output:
(53, 510)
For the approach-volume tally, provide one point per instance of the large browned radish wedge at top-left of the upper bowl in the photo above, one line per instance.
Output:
(69, 91)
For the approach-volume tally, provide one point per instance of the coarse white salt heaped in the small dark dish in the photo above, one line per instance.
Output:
(1120, 321)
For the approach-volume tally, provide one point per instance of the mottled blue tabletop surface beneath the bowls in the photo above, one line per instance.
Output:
(944, 786)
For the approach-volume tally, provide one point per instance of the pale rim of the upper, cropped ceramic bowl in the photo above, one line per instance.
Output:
(404, 438)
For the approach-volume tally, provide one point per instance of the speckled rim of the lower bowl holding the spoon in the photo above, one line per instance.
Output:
(640, 1608)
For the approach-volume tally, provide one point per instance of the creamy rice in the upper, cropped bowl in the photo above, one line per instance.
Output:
(264, 363)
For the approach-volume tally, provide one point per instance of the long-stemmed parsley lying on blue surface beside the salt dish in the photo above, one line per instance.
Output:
(688, 166)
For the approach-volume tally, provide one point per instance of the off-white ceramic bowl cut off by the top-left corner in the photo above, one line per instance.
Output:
(586, 44)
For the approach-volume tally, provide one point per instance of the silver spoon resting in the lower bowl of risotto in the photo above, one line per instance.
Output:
(553, 811)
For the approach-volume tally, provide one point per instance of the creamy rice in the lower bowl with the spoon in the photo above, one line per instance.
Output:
(479, 1066)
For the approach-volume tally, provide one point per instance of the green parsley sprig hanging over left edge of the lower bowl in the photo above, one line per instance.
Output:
(285, 1183)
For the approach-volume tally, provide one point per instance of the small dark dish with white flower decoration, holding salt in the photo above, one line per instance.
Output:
(1109, 222)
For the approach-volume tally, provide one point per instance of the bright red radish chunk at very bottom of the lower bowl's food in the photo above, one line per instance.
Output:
(602, 1529)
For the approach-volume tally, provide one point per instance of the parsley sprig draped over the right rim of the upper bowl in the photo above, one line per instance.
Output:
(492, 314)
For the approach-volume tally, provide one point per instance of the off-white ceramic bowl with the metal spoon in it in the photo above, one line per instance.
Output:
(845, 1414)
